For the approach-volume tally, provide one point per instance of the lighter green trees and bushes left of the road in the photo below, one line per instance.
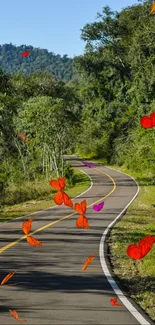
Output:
(44, 111)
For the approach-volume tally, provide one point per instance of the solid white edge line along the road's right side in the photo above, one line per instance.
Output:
(106, 271)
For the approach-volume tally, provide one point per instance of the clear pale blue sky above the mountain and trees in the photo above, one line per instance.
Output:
(51, 24)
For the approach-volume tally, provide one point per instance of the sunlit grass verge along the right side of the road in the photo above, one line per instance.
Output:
(137, 278)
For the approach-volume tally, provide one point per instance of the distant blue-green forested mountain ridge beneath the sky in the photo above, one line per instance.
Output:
(12, 61)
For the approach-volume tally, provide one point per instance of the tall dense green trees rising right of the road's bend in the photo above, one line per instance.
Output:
(118, 87)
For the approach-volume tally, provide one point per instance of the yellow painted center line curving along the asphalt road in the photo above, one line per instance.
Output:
(4, 248)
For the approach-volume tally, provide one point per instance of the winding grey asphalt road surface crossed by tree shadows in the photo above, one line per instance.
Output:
(51, 287)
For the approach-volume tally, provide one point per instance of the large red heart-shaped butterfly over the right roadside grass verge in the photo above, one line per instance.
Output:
(139, 251)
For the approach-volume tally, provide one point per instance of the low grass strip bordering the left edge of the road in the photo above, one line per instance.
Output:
(45, 201)
